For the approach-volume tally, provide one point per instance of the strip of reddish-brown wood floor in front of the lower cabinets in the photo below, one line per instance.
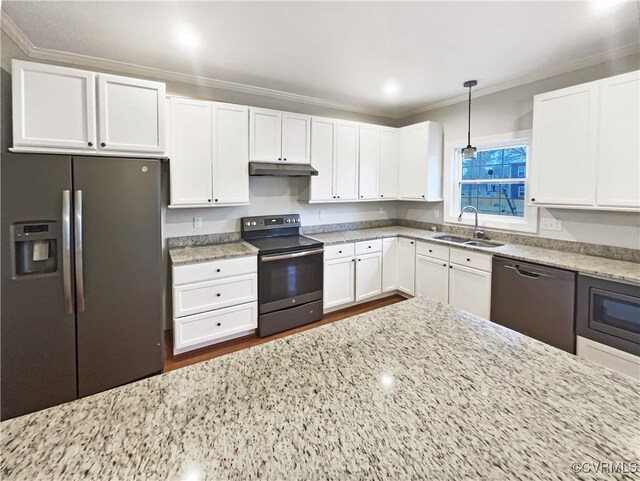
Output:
(172, 362)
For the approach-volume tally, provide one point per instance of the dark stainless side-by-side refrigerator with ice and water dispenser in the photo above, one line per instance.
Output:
(81, 277)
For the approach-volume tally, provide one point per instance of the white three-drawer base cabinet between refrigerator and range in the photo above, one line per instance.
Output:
(214, 301)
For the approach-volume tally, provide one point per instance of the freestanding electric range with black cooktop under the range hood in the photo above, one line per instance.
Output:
(290, 272)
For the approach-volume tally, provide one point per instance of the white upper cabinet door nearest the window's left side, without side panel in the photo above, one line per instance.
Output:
(412, 183)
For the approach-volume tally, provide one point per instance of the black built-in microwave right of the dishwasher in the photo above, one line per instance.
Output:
(609, 312)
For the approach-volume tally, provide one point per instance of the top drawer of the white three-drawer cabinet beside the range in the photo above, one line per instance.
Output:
(206, 271)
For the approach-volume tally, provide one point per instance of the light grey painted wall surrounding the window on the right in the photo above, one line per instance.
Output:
(512, 110)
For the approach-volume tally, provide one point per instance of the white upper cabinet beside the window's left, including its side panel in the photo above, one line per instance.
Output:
(420, 162)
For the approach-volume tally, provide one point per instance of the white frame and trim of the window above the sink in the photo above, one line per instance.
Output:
(453, 176)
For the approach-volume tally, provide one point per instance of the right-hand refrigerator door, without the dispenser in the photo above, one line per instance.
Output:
(118, 245)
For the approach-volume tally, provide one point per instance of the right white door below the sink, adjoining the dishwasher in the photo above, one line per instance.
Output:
(470, 290)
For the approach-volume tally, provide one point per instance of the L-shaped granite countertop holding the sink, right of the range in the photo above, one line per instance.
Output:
(591, 265)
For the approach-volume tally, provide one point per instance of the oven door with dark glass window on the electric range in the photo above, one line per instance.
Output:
(290, 279)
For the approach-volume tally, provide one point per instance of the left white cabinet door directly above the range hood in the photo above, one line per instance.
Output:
(265, 135)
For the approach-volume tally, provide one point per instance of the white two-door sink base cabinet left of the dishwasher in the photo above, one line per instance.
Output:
(459, 277)
